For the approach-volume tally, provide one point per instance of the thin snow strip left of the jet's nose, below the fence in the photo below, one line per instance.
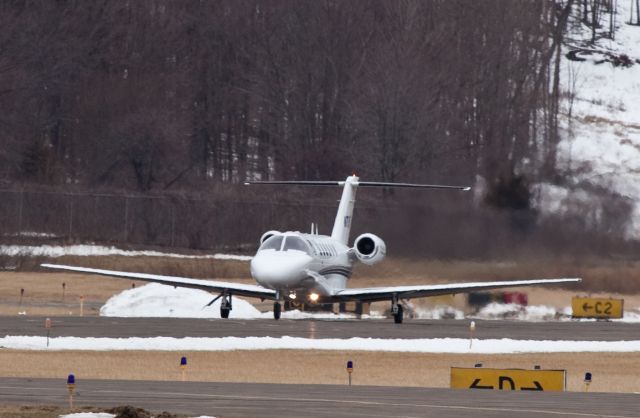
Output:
(99, 250)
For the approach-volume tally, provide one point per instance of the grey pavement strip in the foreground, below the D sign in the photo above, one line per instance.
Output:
(272, 400)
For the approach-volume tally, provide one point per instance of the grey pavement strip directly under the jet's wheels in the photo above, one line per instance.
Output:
(67, 326)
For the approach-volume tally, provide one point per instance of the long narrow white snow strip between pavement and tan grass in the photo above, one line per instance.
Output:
(424, 345)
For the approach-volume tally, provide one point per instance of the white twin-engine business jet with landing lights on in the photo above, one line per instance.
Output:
(301, 268)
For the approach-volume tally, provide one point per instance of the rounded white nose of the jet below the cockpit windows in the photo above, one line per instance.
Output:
(279, 268)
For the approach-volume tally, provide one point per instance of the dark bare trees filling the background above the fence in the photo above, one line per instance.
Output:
(166, 97)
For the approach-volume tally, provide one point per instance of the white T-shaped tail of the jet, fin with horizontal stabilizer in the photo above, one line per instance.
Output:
(342, 224)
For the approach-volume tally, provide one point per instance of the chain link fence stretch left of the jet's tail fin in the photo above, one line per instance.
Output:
(147, 220)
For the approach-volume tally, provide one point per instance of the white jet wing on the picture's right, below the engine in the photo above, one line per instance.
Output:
(374, 294)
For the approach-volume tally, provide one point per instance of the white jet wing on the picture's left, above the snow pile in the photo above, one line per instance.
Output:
(236, 289)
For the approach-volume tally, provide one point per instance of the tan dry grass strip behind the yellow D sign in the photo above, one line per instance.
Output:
(612, 372)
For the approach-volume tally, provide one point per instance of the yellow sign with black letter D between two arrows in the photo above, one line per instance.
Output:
(508, 379)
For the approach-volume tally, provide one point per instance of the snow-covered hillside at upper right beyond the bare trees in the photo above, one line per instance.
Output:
(600, 125)
